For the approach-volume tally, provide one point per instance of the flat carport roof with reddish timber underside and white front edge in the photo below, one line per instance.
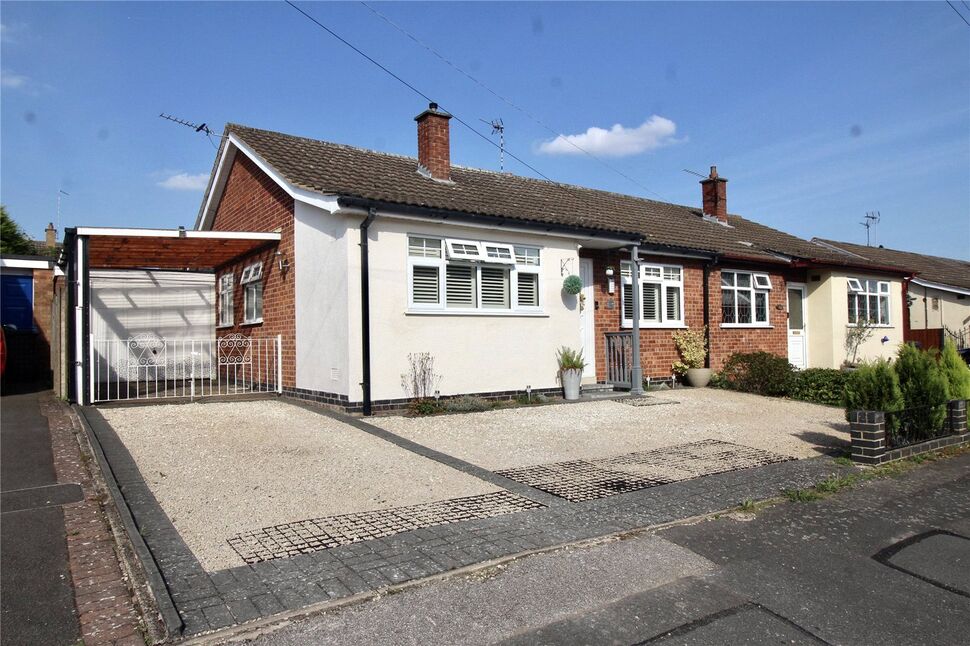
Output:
(175, 249)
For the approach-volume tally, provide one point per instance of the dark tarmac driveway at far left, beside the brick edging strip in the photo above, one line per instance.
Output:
(36, 595)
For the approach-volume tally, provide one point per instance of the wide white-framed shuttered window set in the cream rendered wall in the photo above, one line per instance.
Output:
(468, 276)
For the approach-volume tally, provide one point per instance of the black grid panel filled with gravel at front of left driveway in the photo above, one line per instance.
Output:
(317, 534)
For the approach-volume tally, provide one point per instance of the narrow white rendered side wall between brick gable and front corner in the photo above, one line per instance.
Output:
(322, 299)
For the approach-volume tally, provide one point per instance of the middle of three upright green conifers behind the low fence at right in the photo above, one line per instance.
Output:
(925, 391)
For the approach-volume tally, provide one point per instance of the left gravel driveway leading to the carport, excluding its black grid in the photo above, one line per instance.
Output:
(220, 469)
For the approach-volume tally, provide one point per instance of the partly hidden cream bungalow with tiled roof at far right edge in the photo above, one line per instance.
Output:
(938, 295)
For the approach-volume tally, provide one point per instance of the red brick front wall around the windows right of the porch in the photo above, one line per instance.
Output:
(657, 349)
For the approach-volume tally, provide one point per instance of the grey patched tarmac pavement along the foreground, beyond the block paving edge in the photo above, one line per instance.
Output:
(887, 562)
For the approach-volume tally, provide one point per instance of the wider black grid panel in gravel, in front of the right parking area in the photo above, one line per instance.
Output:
(580, 480)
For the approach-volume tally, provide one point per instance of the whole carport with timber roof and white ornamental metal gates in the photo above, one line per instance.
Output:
(148, 364)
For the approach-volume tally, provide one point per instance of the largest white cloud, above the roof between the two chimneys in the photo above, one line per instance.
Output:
(618, 141)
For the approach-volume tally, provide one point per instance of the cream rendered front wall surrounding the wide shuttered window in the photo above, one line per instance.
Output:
(472, 353)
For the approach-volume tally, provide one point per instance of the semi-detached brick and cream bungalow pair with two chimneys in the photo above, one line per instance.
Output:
(384, 256)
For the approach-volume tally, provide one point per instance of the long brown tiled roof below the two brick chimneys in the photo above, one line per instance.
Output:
(346, 171)
